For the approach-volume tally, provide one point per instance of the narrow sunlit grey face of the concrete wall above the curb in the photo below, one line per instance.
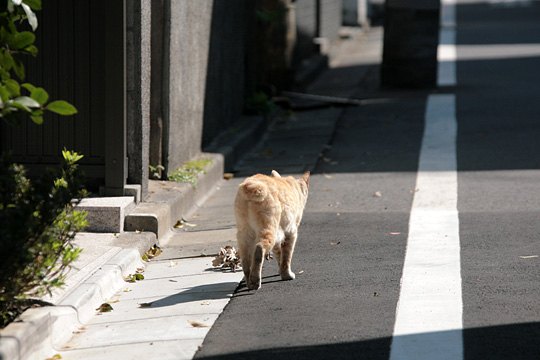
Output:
(186, 50)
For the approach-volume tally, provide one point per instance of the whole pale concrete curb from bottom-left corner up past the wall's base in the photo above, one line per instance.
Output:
(38, 332)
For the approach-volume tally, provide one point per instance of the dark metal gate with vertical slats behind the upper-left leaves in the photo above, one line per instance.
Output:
(79, 42)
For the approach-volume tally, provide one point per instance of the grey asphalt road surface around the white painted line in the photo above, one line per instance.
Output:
(352, 242)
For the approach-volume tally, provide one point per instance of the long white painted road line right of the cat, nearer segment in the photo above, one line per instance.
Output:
(429, 313)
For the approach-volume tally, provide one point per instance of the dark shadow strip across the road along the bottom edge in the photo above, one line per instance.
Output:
(515, 341)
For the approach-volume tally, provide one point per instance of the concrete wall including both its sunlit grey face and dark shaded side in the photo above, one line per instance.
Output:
(206, 52)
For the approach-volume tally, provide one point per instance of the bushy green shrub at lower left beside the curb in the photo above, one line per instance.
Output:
(38, 223)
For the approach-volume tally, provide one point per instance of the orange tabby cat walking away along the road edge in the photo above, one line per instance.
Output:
(268, 212)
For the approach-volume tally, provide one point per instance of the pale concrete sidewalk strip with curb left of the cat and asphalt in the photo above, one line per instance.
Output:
(168, 314)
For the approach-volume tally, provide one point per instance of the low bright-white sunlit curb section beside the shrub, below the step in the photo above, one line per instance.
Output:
(39, 331)
